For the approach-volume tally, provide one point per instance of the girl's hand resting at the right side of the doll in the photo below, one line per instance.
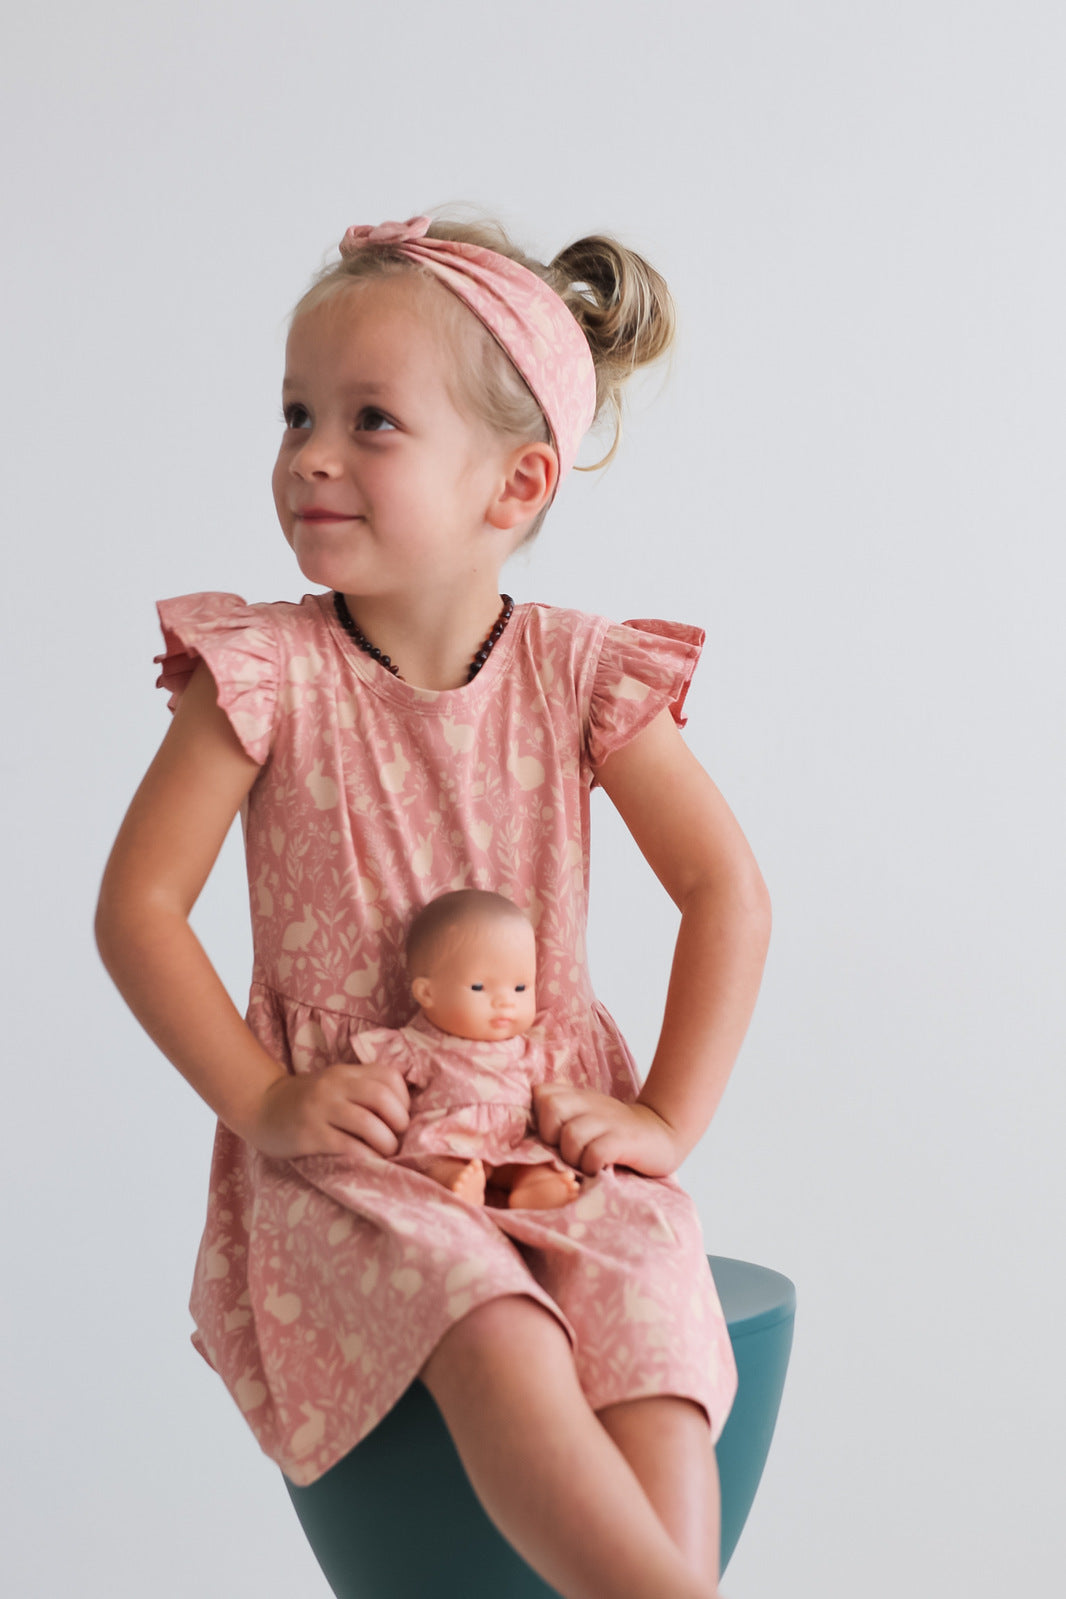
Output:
(592, 1131)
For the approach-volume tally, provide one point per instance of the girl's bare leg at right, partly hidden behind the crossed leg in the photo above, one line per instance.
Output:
(667, 1441)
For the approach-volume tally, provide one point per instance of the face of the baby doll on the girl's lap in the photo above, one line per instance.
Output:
(483, 981)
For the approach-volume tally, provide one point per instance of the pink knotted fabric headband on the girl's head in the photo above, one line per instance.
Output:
(527, 319)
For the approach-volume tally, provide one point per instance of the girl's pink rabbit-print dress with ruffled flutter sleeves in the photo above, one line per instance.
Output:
(325, 1283)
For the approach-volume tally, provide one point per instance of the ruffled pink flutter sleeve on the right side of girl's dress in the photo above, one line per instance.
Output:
(643, 668)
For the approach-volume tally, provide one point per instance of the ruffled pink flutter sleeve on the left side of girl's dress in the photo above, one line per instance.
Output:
(241, 647)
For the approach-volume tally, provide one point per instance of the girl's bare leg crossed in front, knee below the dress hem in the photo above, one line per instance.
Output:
(544, 1467)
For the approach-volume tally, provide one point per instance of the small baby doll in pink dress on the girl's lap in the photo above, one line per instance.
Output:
(471, 1055)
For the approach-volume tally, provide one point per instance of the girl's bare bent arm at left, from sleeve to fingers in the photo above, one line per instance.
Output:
(162, 858)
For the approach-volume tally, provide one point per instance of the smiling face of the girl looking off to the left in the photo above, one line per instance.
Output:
(381, 482)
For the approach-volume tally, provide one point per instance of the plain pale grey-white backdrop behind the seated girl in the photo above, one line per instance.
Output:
(853, 477)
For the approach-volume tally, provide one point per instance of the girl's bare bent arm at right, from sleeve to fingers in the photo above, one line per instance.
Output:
(694, 847)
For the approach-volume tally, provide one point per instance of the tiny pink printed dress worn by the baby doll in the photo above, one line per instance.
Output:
(472, 1098)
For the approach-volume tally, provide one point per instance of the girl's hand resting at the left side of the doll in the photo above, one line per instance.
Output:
(332, 1111)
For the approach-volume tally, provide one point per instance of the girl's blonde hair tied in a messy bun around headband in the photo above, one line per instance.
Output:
(619, 301)
